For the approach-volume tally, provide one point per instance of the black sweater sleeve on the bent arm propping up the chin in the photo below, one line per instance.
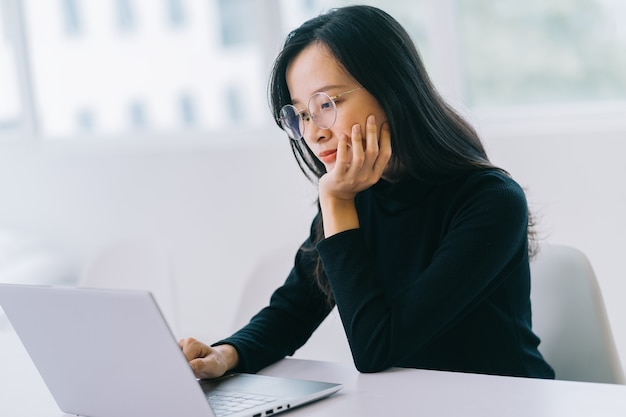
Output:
(485, 239)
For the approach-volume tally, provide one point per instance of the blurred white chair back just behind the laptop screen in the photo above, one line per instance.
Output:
(134, 264)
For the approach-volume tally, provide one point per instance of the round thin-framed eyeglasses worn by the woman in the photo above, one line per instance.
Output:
(321, 108)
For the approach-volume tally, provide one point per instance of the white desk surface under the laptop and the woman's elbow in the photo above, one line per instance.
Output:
(395, 392)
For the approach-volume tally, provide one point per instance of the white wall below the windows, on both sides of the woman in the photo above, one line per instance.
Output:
(220, 209)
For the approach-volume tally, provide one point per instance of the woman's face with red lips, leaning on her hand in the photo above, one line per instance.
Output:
(316, 70)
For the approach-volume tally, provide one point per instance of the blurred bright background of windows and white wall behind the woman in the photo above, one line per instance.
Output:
(149, 120)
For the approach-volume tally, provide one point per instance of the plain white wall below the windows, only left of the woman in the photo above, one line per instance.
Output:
(217, 209)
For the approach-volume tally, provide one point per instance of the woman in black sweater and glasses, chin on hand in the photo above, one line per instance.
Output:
(420, 241)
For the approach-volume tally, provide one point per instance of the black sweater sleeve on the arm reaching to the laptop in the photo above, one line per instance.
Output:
(295, 310)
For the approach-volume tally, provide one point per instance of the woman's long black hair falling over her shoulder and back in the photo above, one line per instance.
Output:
(429, 139)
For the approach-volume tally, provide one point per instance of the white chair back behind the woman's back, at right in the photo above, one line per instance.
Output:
(570, 318)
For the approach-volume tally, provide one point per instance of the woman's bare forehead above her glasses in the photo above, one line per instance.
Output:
(312, 70)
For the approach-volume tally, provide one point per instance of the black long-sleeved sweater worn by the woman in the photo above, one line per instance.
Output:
(436, 277)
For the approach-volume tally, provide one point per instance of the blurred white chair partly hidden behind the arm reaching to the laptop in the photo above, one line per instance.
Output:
(328, 342)
